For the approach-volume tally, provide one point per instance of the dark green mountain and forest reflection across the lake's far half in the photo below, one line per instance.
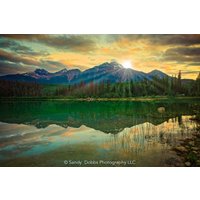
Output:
(109, 117)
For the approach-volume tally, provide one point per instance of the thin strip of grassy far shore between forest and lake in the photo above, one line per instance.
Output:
(55, 98)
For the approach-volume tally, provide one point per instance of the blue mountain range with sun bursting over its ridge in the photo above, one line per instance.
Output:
(112, 72)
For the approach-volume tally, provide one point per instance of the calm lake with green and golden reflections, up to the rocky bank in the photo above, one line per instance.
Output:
(66, 133)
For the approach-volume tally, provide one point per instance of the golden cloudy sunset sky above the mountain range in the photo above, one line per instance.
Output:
(168, 53)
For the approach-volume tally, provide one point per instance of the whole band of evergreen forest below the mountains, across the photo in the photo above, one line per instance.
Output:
(156, 86)
